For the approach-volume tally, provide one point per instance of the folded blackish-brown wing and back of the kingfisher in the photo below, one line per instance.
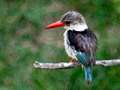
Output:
(84, 42)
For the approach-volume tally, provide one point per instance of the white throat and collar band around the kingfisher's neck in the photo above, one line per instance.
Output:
(77, 27)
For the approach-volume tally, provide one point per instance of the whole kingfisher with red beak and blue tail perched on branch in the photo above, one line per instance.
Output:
(79, 40)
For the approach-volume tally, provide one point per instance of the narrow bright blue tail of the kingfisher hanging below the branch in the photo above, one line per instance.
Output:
(88, 74)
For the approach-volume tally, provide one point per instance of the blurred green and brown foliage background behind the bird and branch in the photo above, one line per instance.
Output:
(23, 41)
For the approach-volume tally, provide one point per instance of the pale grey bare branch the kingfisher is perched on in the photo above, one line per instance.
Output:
(64, 65)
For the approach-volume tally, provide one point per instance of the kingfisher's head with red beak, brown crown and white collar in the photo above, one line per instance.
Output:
(70, 20)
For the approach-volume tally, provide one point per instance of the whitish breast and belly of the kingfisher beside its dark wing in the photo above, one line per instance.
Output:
(69, 49)
